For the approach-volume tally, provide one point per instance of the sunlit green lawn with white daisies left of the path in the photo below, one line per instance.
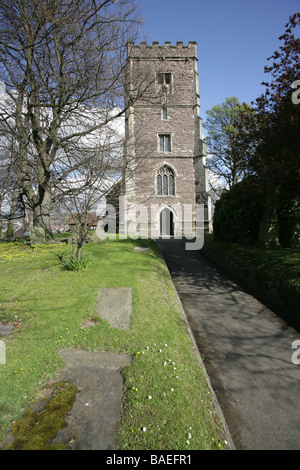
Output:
(48, 305)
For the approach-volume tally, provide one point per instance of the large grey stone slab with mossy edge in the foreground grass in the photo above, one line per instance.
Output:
(95, 417)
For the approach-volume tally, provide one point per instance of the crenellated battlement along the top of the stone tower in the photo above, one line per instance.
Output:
(162, 51)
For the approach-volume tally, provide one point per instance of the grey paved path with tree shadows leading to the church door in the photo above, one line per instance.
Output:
(246, 350)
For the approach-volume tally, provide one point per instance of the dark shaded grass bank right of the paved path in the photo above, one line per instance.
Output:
(271, 274)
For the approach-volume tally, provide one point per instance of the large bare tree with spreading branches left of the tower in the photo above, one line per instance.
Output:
(62, 63)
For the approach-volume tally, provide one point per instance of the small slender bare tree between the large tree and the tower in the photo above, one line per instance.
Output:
(96, 170)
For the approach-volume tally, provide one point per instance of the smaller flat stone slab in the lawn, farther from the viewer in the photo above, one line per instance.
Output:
(115, 305)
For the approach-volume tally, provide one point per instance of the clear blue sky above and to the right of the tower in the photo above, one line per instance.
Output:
(234, 38)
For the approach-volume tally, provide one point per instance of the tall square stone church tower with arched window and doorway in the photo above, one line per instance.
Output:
(165, 174)
